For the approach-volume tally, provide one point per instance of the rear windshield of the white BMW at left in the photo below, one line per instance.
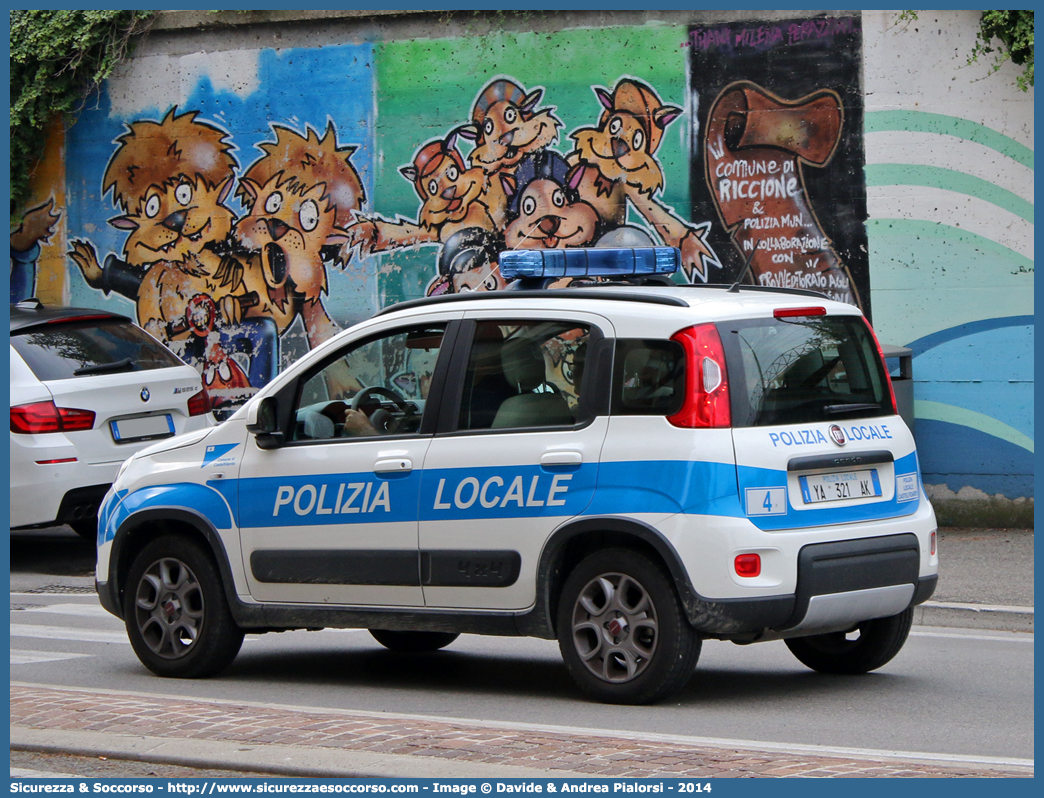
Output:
(80, 349)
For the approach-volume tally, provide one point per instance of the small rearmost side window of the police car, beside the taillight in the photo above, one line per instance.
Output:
(649, 378)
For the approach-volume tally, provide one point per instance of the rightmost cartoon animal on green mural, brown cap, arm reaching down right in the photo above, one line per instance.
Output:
(620, 156)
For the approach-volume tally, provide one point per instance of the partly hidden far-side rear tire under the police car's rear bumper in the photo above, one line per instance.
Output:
(876, 644)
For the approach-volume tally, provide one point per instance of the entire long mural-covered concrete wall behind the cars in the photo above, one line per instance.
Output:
(338, 162)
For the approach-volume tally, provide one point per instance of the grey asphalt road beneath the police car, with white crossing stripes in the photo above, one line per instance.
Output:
(950, 691)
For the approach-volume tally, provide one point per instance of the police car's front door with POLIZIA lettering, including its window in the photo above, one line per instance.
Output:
(330, 518)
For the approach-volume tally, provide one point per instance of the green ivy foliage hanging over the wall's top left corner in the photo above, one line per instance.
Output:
(58, 58)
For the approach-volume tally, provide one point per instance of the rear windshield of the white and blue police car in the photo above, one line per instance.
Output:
(808, 369)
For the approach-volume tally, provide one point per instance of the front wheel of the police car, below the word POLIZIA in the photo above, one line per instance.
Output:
(176, 611)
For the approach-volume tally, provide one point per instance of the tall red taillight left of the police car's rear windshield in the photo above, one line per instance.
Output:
(706, 380)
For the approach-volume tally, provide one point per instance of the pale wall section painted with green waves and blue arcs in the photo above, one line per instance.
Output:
(951, 195)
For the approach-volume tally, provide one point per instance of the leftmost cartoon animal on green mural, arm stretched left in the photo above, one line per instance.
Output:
(450, 201)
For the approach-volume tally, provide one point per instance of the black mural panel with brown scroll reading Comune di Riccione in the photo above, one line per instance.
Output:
(782, 154)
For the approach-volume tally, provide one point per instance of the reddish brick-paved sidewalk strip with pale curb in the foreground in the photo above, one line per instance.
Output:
(323, 743)
